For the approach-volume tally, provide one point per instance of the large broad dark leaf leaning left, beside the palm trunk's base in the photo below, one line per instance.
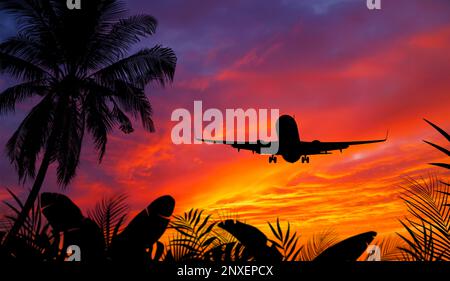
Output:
(65, 217)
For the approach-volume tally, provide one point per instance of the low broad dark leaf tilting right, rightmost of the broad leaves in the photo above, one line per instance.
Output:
(349, 249)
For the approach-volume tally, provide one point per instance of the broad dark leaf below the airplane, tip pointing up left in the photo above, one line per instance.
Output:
(254, 241)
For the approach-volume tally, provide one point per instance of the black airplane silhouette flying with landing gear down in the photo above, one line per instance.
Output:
(290, 147)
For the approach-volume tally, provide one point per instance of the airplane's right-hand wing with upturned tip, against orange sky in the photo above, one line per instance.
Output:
(318, 147)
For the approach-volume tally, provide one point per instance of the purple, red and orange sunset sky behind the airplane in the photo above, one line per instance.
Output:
(345, 72)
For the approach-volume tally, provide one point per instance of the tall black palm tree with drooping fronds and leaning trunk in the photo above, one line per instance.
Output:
(74, 64)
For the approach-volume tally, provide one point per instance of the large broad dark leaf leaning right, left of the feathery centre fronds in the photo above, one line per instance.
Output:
(137, 240)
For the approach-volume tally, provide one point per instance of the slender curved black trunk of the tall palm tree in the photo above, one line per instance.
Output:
(31, 198)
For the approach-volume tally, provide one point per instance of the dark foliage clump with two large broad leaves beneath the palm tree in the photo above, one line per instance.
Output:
(56, 223)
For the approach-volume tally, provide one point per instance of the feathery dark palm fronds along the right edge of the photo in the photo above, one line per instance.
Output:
(428, 204)
